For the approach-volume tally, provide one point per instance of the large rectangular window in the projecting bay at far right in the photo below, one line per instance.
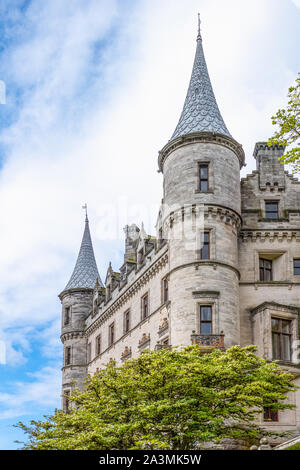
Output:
(281, 339)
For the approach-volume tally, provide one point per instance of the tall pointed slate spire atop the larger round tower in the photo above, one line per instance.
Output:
(200, 111)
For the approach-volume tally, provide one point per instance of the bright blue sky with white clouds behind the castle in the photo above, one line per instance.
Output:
(94, 89)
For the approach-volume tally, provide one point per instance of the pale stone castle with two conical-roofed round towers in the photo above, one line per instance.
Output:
(223, 268)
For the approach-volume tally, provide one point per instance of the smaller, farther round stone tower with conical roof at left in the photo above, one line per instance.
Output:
(76, 299)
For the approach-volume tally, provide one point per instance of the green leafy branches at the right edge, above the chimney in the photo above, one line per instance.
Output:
(288, 133)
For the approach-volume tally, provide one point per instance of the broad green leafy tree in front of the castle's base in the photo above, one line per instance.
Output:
(167, 399)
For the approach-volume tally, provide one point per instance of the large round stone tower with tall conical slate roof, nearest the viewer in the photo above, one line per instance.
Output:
(201, 217)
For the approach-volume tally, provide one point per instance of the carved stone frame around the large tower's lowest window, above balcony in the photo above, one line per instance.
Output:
(207, 298)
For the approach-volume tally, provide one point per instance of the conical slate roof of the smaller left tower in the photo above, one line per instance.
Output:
(85, 272)
